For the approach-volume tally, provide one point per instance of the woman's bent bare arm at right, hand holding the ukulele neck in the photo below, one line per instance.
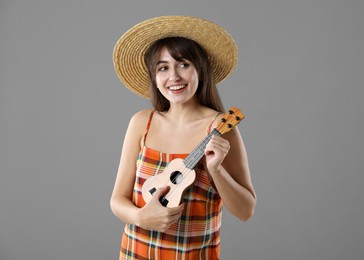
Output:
(227, 163)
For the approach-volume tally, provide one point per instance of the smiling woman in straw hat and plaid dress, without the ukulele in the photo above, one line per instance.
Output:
(176, 61)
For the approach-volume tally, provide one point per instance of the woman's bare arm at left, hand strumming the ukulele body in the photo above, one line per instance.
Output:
(153, 215)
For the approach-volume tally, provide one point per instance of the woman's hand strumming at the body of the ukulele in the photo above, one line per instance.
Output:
(157, 217)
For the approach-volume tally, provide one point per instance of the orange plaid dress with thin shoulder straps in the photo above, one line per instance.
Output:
(196, 235)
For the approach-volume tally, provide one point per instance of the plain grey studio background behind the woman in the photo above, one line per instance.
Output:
(63, 115)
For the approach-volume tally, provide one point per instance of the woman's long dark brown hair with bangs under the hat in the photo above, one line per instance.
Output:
(182, 48)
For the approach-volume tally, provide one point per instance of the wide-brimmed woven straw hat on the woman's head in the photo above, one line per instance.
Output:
(130, 49)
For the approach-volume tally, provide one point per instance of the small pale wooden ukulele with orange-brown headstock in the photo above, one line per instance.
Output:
(180, 174)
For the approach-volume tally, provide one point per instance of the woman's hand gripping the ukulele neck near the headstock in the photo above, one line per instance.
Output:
(216, 150)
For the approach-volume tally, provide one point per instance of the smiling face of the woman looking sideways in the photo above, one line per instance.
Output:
(177, 80)
